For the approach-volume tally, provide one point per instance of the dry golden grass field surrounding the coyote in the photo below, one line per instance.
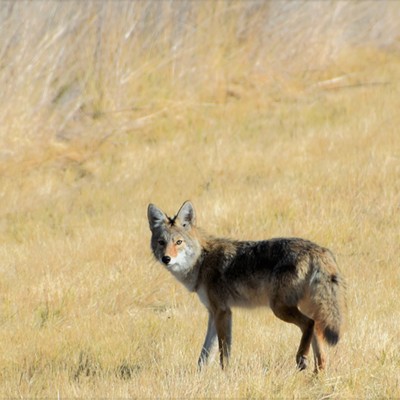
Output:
(272, 122)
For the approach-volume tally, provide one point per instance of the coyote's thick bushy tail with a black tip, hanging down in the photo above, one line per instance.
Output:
(328, 298)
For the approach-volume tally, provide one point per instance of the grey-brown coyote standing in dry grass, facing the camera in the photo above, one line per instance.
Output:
(296, 278)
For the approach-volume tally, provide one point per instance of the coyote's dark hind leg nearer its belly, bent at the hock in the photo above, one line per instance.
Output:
(293, 315)
